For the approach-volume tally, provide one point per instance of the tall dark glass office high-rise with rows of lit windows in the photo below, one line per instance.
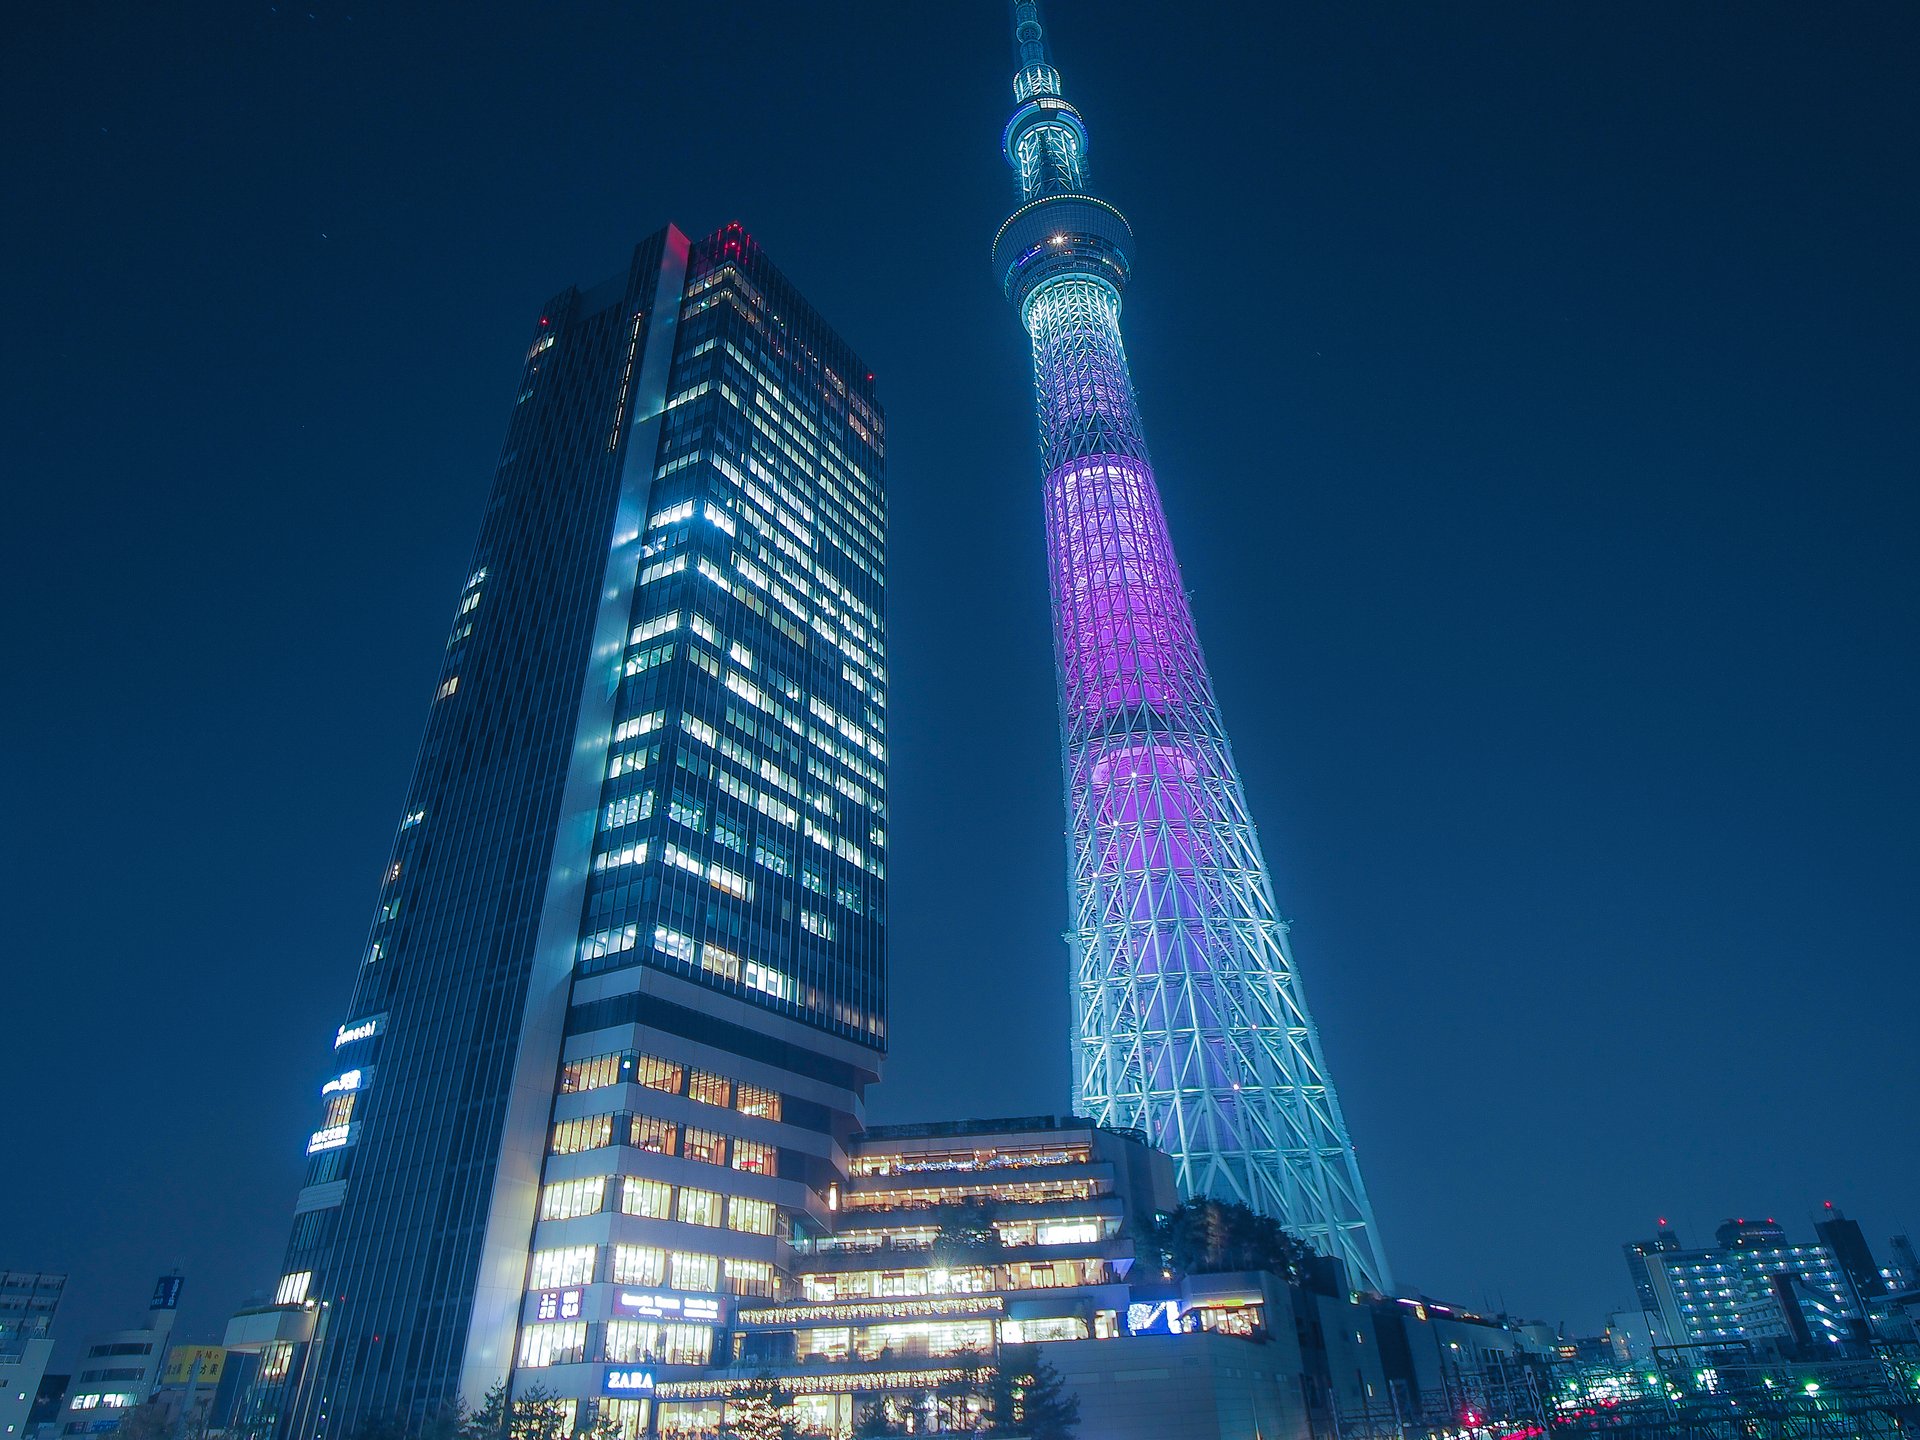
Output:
(627, 978)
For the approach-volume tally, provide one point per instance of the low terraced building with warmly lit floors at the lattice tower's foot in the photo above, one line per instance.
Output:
(955, 1247)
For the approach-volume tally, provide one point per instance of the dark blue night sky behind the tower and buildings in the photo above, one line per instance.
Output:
(1535, 396)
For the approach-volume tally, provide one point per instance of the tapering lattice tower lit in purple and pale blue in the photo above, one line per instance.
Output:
(1189, 1017)
